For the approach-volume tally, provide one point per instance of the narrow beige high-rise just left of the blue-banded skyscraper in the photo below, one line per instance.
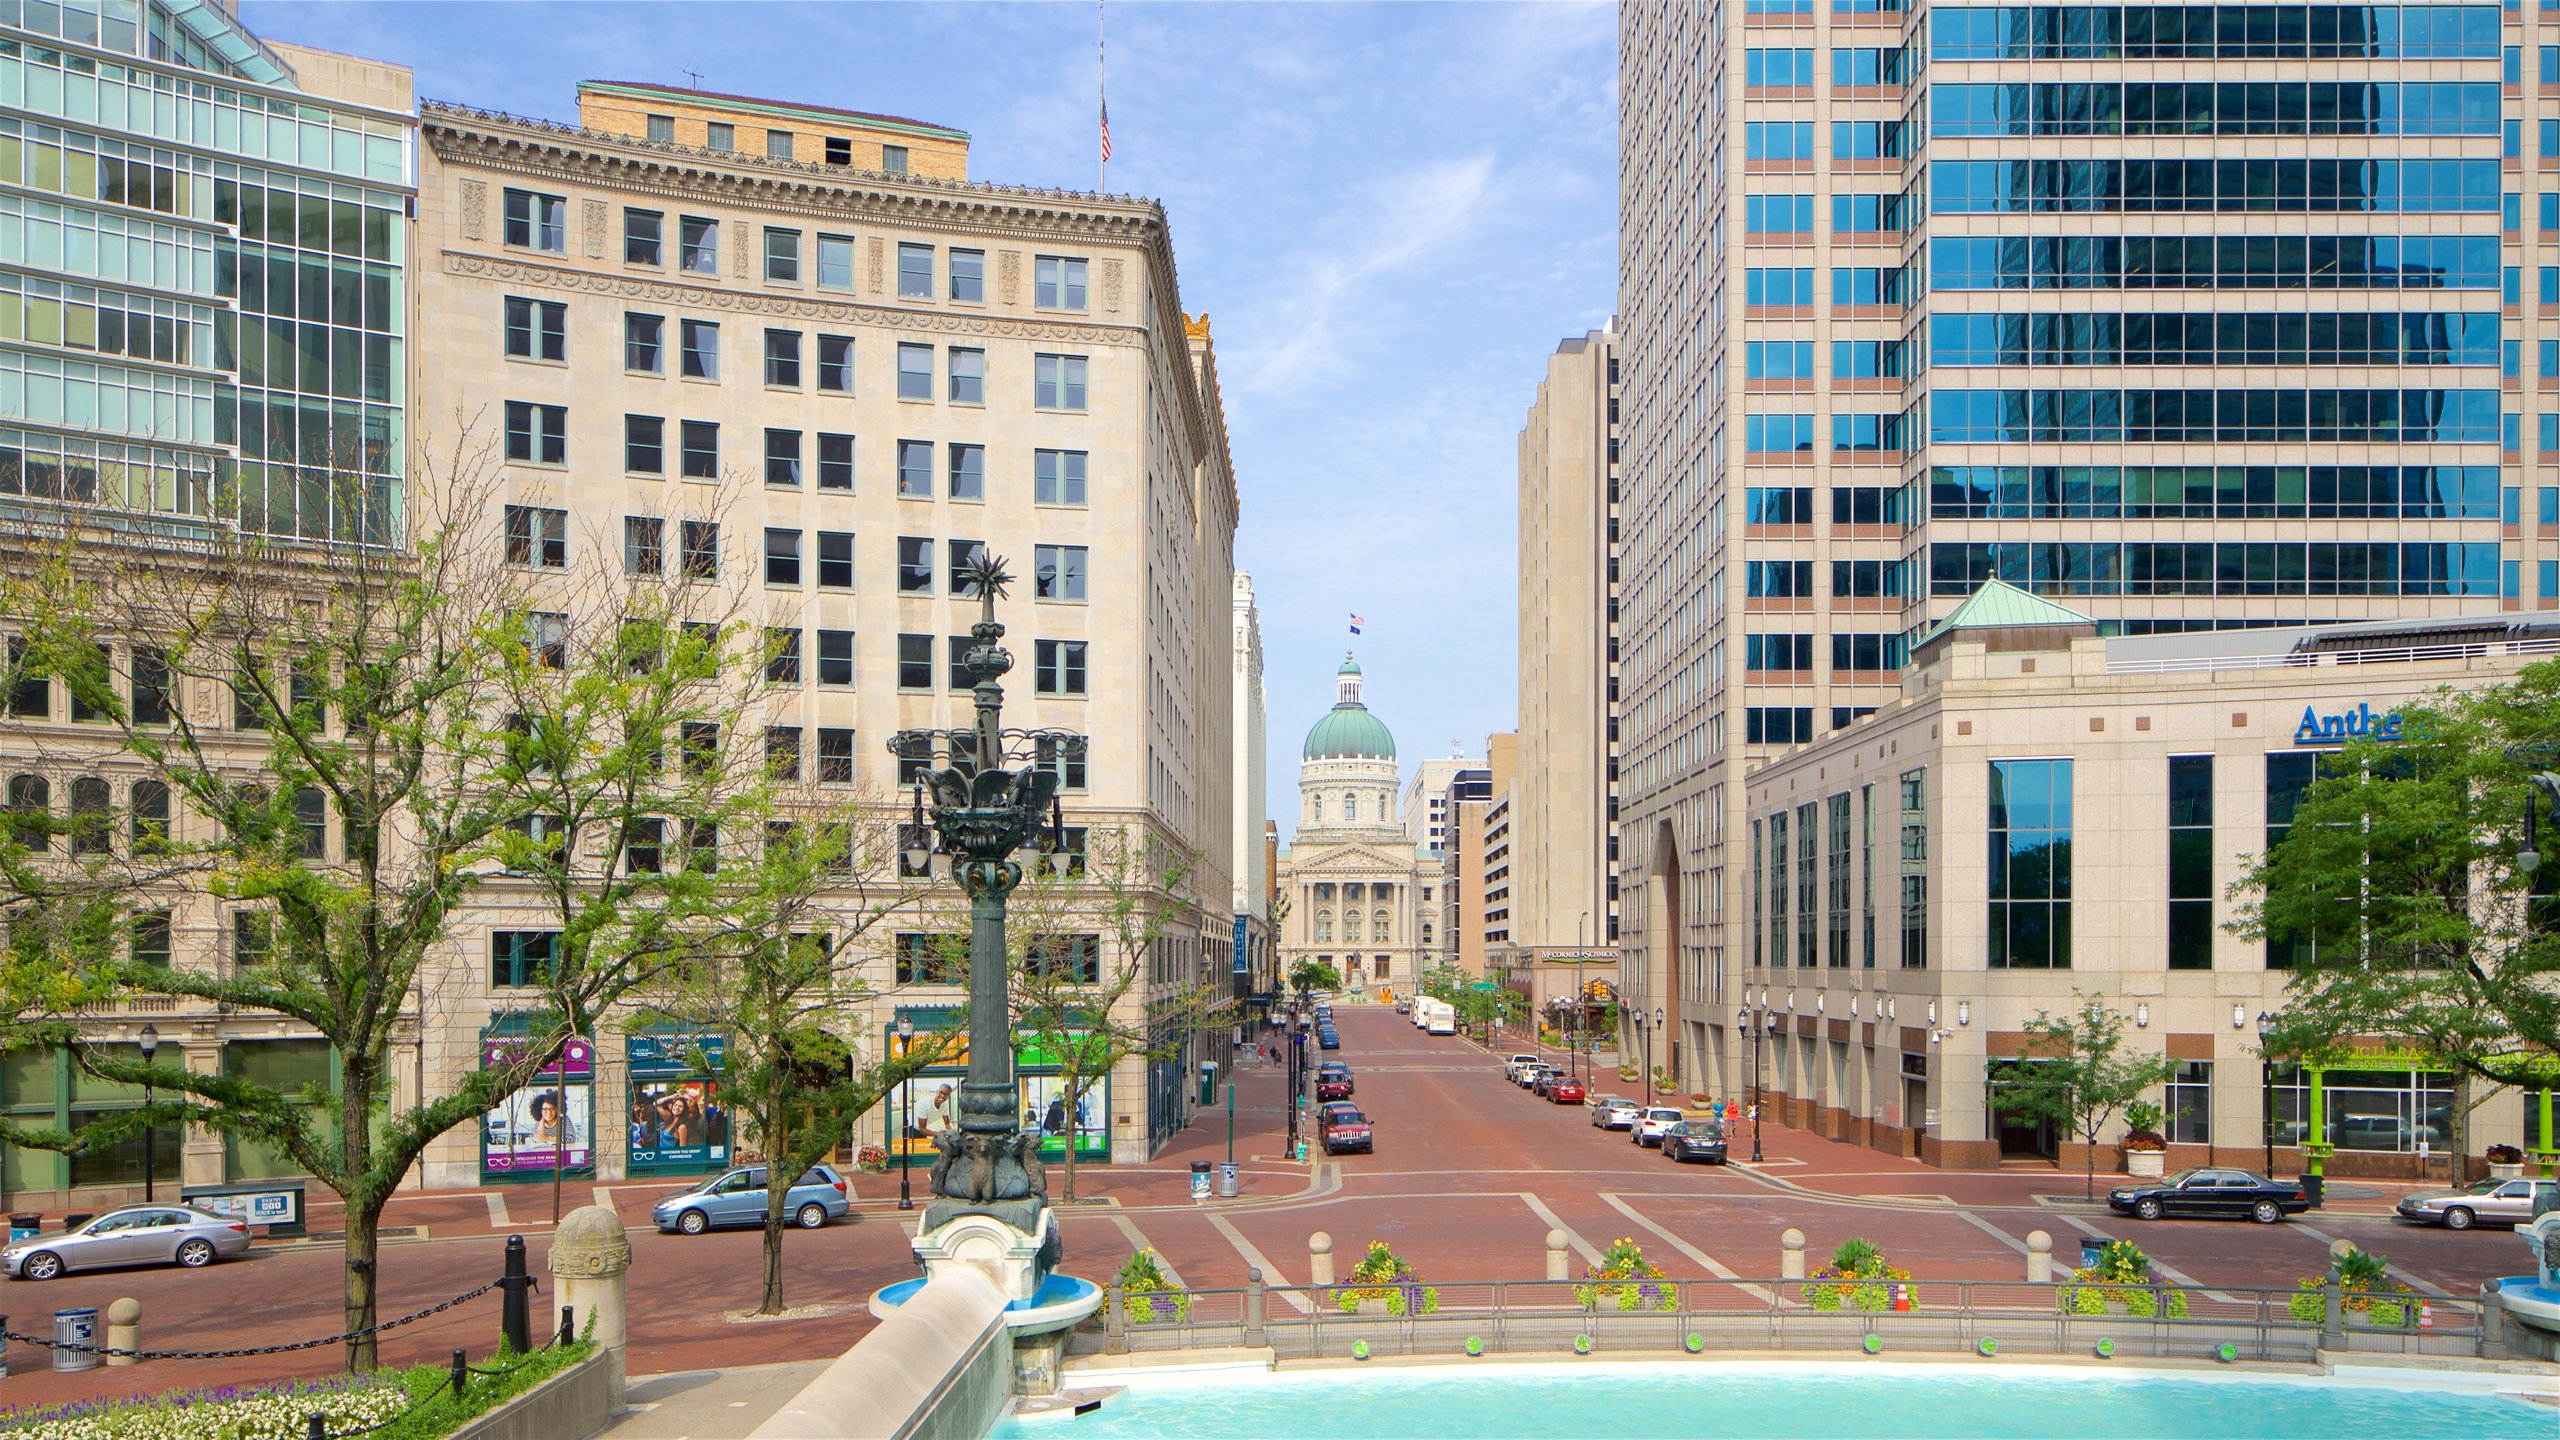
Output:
(1565, 790)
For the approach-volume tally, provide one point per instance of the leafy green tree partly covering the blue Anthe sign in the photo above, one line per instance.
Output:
(2397, 898)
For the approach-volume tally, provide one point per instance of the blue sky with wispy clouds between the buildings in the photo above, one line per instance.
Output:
(1389, 211)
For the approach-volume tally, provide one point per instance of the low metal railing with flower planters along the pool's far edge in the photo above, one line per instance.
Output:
(1527, 1318)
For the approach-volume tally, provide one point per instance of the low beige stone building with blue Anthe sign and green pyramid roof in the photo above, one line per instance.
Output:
(2044, 811)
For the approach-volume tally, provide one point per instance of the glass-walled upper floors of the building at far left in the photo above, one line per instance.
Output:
(201, 273)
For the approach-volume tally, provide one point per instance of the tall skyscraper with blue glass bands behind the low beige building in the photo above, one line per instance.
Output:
(2188, 319)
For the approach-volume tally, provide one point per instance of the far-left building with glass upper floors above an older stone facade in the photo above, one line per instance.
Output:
(204, 324)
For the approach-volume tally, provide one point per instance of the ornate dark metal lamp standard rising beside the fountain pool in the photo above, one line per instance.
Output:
(982, 816)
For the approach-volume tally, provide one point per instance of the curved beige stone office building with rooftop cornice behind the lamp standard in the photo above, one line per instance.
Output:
(800, 355)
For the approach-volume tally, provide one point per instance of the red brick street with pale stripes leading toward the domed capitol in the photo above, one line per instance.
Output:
(1468, 1180)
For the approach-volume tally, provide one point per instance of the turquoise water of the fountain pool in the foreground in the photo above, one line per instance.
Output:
(1673, 1400)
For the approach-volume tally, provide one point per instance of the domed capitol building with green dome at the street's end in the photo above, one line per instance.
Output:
(1361, 896)
